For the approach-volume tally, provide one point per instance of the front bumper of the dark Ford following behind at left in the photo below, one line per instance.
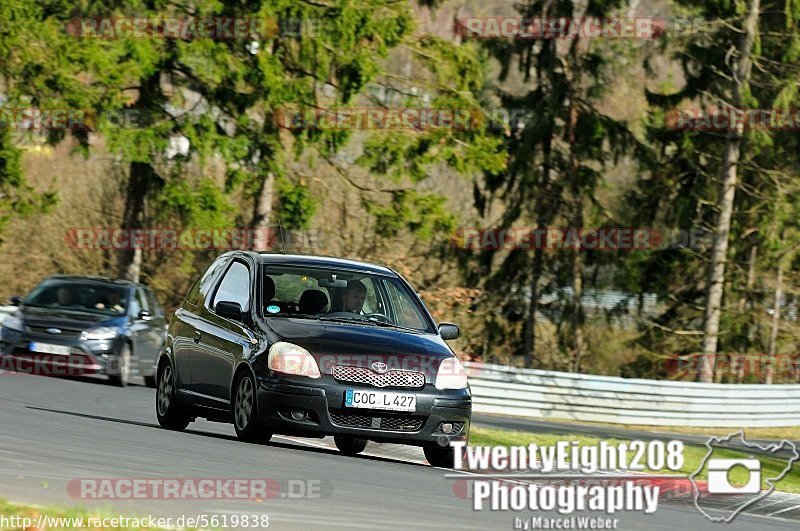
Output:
(84, 358)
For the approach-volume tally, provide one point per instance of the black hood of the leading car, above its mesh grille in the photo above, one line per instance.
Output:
(361, 346)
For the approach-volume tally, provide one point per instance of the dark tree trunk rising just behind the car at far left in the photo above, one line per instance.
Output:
(139, 182)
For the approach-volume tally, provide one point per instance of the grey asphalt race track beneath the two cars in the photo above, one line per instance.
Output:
(55, 431)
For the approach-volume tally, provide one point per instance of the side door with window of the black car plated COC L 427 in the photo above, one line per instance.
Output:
(222, 341)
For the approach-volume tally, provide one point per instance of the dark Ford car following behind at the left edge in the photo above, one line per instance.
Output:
(75, 325)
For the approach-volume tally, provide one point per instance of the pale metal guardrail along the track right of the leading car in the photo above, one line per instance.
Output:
(561, 395)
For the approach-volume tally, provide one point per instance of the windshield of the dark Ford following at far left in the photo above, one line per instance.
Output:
(86, 297)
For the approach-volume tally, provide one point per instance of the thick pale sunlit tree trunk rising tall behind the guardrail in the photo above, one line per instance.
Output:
(729, 178)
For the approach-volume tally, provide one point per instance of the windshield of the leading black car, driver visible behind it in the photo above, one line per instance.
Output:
(341, 296)
